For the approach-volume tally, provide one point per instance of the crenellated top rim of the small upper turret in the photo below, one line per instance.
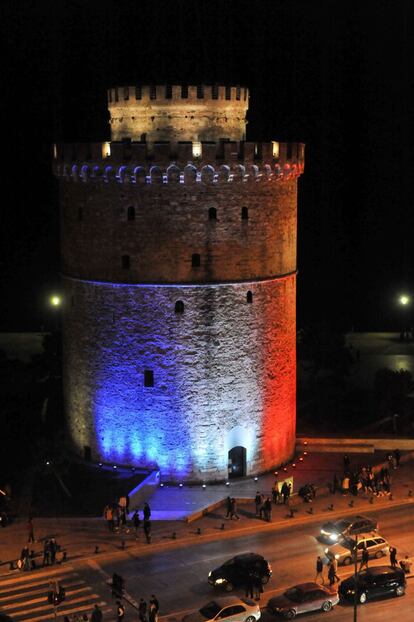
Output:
(169, 94)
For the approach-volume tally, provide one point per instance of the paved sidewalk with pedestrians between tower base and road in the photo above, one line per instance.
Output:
(79, 537)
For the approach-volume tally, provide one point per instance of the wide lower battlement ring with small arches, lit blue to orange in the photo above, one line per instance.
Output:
(128, 162)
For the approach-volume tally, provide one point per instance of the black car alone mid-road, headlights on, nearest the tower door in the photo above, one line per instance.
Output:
(235, 571)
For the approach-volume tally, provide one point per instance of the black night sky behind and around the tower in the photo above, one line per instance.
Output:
(335, 75)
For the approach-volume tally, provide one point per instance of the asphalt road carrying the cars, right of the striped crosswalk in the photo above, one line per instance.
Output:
(179, 577)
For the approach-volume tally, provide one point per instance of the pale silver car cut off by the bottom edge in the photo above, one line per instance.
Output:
(230, 608)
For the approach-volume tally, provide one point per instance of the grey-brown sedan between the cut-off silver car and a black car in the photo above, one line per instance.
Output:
(303, 598)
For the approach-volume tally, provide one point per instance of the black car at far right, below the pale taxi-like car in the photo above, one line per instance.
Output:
(374, 582)
